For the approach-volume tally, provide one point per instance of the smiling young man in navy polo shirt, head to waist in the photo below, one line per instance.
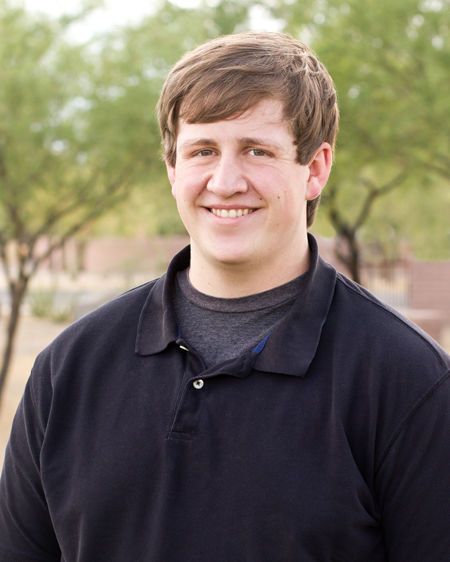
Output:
(252, 404)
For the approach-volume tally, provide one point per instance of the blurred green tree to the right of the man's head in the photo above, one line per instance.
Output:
(390, 64)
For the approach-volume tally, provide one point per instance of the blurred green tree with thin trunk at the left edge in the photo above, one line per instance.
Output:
(72, 143)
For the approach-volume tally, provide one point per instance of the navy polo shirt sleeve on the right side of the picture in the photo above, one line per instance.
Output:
(414, 481)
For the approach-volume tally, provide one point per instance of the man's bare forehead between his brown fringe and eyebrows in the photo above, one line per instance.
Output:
(265, 117)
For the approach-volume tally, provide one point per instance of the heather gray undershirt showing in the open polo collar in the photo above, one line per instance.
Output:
(220, 329)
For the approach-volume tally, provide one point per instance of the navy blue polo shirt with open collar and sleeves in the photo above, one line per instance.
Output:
(327, 442)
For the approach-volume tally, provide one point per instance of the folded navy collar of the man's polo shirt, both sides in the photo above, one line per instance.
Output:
(291, 346)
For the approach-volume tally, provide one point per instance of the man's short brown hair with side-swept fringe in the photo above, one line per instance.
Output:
(227, 76)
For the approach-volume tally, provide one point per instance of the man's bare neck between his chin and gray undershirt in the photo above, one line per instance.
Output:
(234, 280)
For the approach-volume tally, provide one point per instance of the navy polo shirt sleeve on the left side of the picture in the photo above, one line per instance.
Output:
(26, 530)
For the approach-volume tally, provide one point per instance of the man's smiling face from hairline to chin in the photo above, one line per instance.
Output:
(240, 191)
